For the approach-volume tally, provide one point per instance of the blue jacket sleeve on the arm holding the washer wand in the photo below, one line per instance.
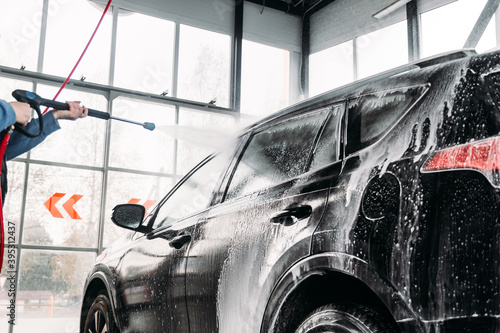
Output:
(19, 143)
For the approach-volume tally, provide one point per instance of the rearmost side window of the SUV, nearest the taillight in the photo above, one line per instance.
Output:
(371, 116)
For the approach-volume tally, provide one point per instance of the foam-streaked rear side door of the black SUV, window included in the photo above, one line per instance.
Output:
(264, 224)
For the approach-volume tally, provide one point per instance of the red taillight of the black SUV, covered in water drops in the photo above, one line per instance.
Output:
(480, 155)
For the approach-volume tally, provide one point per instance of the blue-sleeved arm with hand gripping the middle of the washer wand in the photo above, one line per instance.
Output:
(20, 144)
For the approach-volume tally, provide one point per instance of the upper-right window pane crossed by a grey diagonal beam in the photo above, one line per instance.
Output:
(448, 27)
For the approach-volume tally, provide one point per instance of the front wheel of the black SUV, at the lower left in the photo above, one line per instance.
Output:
(100, 317)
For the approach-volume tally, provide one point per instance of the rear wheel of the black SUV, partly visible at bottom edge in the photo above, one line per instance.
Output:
(346, 318)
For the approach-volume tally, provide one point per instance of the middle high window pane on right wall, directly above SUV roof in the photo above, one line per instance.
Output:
(382, 49)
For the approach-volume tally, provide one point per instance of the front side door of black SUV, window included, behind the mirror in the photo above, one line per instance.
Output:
(151, 273)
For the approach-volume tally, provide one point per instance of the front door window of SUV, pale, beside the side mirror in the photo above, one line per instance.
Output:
(194, 194)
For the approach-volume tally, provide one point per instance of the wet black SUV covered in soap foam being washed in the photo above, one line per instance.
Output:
(371, 208)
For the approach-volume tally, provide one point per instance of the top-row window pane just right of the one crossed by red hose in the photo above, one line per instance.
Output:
(144, 53)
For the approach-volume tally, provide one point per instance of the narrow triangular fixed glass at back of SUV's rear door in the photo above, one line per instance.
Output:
(327, 149)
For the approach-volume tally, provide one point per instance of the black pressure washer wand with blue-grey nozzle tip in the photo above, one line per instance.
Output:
(32, 98)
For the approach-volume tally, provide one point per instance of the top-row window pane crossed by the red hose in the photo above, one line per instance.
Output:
(70, 25)
